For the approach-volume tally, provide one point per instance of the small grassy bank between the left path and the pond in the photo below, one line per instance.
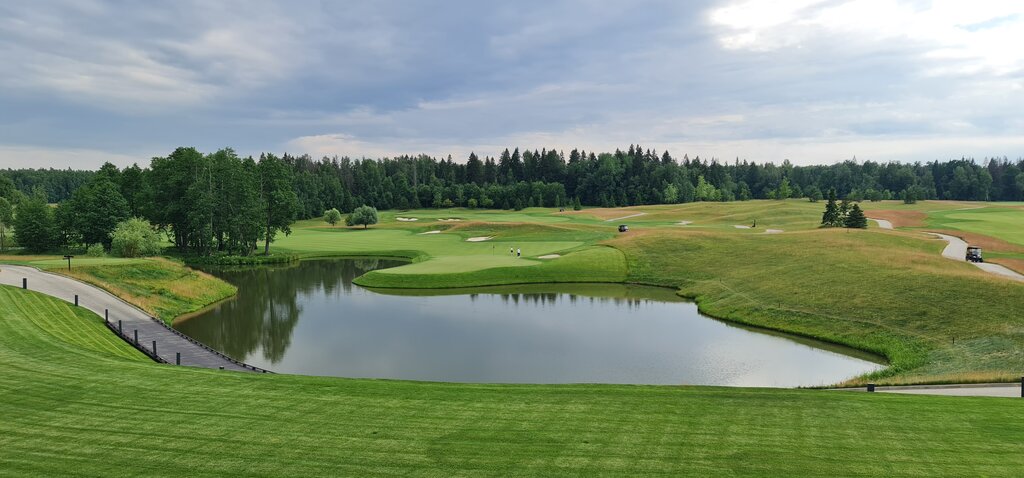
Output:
(166, 289)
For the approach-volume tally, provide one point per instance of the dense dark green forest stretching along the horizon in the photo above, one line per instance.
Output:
(221, 202)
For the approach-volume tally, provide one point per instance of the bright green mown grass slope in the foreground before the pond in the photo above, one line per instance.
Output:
(78, 402)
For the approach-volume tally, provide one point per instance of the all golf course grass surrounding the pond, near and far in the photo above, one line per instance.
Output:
(77, 400)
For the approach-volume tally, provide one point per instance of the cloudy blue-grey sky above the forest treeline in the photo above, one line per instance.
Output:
(84, 82)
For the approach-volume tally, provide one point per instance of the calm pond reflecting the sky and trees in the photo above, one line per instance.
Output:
(310, 319)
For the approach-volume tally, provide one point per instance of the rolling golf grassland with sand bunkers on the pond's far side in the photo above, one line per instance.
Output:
(885, 292)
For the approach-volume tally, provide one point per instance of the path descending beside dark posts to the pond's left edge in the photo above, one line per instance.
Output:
(169, 342)
